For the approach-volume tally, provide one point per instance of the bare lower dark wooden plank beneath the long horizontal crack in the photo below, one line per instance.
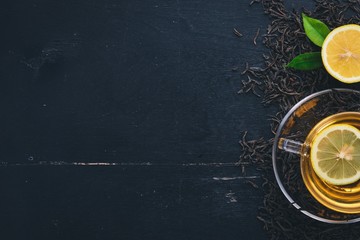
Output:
(127, 203)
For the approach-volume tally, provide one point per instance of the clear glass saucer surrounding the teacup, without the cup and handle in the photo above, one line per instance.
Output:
(296, 125)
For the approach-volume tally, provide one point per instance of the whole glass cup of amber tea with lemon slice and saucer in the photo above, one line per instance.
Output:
(316, 156)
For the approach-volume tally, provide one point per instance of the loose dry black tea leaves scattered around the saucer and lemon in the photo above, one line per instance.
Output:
(283, 87)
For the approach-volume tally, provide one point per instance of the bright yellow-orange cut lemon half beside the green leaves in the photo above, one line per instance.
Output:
(340, 53)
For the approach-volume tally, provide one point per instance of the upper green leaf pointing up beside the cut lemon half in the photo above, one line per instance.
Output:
(315, 30)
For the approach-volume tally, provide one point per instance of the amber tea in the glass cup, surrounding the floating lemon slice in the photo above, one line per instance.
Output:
(344, 198)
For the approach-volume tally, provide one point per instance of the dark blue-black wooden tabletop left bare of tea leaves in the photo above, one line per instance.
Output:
(121, 119)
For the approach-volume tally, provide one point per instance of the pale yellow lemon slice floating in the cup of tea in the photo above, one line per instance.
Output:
(335, 154)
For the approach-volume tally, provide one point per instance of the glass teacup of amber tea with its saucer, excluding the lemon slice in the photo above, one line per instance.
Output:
(293, 171)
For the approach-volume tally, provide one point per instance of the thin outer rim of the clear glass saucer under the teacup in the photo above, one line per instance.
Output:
(275, 148)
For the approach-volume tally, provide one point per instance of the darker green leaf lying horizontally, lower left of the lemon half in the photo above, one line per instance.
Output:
(306, 61)
